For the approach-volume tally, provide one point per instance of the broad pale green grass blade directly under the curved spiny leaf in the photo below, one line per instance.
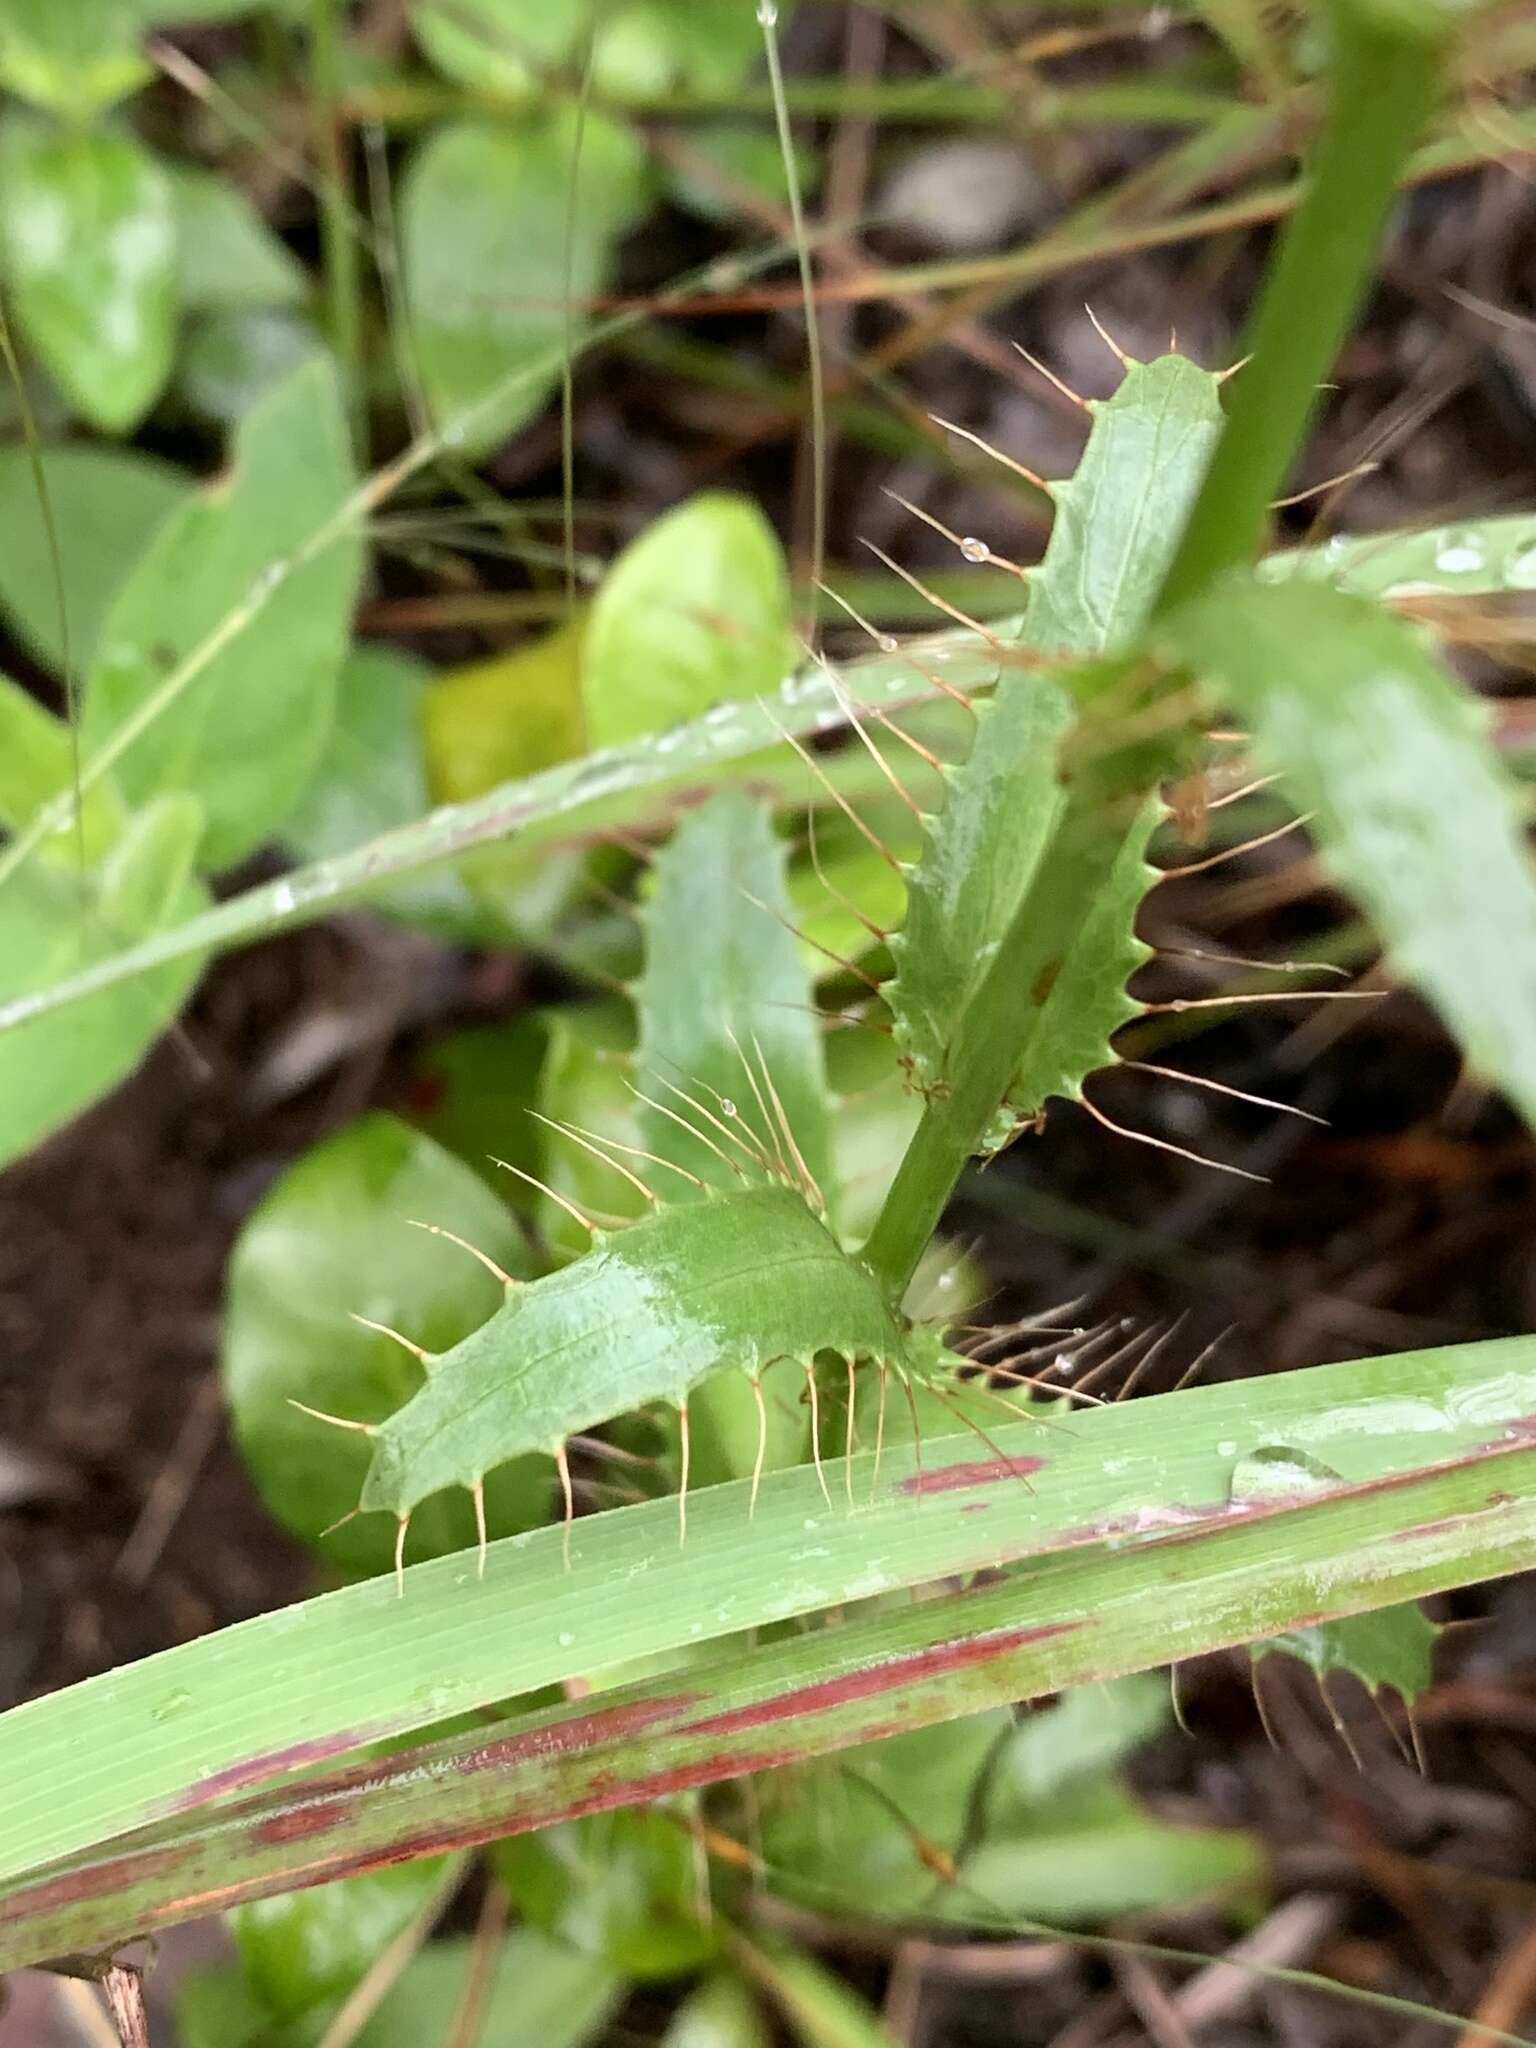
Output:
(314, 1682)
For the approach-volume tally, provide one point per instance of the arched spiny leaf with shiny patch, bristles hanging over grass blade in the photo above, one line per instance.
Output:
(734, 1283)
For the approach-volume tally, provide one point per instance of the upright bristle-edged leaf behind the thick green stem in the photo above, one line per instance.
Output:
(1115, 529)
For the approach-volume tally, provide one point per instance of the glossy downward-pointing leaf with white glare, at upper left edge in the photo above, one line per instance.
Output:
(89, 247)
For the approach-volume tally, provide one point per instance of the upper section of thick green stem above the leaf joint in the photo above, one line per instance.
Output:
(1383, 87)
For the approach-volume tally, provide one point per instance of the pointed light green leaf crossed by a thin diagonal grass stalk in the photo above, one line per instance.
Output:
(251, 728)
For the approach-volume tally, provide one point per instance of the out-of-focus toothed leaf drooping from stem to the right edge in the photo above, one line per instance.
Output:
(1410, 806)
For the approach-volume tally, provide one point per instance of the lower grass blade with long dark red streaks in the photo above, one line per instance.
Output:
(1224, 1580)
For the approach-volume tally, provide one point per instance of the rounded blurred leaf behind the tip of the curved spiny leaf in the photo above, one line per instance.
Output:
(335, 1240)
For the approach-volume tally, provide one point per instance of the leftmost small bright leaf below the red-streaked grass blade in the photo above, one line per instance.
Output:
(310, 1949)
